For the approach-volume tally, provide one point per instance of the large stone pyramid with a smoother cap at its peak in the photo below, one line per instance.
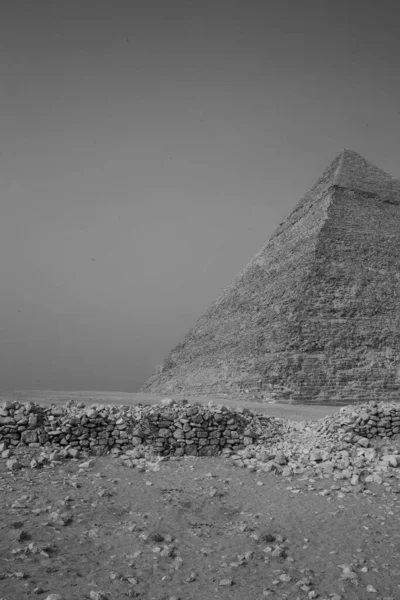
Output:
(314, 318)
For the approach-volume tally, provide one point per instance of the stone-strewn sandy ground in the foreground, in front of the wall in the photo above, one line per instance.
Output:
(193, 529)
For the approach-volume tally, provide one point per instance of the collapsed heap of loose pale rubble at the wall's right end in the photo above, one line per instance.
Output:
(333, 446)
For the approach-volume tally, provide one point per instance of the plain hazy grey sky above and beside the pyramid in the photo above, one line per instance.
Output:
(148, 149)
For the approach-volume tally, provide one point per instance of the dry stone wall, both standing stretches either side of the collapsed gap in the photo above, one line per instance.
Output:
(178, 429)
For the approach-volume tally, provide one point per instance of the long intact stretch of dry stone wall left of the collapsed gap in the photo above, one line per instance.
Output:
(174, 430)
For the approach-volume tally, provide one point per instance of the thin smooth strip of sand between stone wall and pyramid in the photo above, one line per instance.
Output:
(287, 411)
